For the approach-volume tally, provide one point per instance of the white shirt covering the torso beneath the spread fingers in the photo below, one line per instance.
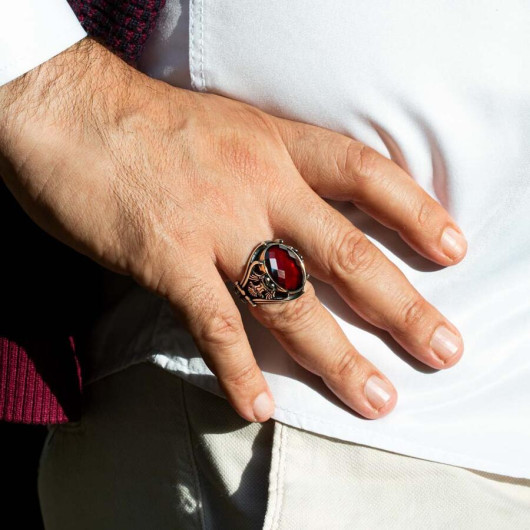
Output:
(446, 87)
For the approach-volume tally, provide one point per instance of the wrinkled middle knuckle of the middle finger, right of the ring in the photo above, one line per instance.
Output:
(354, 255)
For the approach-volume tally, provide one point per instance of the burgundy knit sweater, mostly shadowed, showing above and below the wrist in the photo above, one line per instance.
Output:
(49, 293)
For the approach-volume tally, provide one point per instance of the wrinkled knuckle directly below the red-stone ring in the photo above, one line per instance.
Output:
(294, 316)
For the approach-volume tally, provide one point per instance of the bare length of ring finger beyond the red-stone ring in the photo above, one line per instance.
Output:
(311, 335)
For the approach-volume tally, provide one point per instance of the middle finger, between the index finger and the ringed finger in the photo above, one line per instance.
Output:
(335, 251)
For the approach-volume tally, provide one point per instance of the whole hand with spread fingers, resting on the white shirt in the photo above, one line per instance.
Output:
(175, 188)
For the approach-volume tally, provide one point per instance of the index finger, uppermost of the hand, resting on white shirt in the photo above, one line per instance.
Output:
(339, 168)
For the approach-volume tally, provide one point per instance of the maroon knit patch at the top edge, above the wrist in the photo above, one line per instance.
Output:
(121, 25)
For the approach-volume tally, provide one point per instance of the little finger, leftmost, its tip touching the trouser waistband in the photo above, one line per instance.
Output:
(202, 300)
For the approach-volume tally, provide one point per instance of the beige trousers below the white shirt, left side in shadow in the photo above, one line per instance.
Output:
(154, 452)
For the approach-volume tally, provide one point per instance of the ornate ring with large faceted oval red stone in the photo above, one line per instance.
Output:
(275, 273)
